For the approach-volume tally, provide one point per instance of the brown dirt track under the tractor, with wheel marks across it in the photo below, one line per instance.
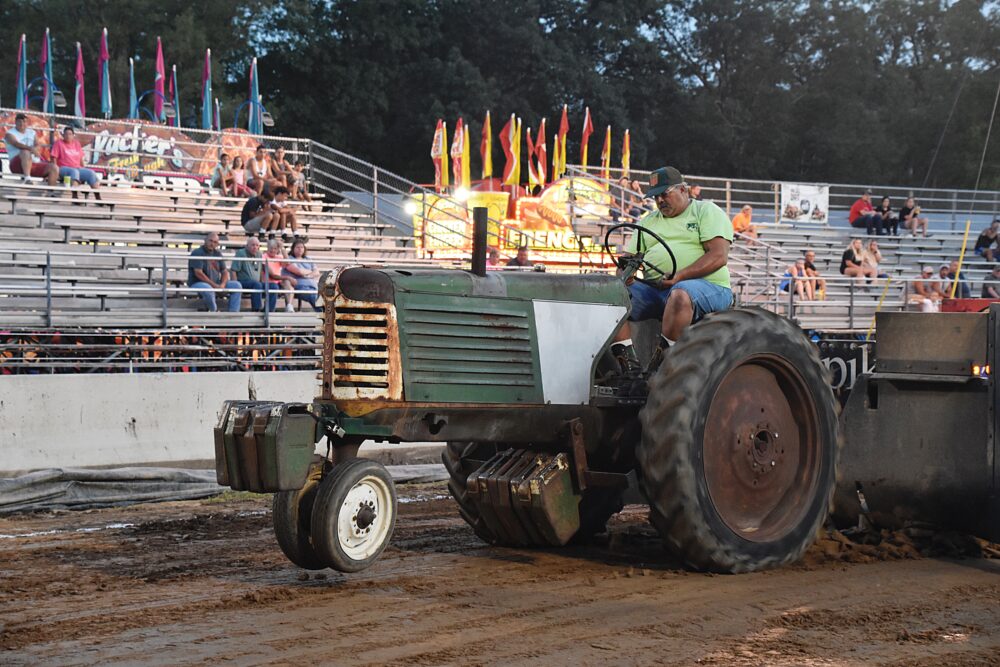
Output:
(199, 581)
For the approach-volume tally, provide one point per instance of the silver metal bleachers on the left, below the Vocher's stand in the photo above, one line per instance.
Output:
(122, 260)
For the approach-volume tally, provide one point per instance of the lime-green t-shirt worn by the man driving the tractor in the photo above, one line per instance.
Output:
(701, 221)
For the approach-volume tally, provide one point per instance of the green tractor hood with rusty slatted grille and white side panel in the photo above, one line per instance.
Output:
(439, 336)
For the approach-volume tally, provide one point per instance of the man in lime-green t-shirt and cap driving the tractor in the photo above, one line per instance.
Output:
(681, 283)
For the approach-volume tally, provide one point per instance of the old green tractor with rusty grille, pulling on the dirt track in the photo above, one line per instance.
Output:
(734, 446)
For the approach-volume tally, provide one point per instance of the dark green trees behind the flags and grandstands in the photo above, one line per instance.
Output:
(824, 90)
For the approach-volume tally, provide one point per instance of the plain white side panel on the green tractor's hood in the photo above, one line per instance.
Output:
(570, 335)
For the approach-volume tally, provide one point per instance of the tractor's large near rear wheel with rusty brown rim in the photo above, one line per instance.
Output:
(739, 443)
